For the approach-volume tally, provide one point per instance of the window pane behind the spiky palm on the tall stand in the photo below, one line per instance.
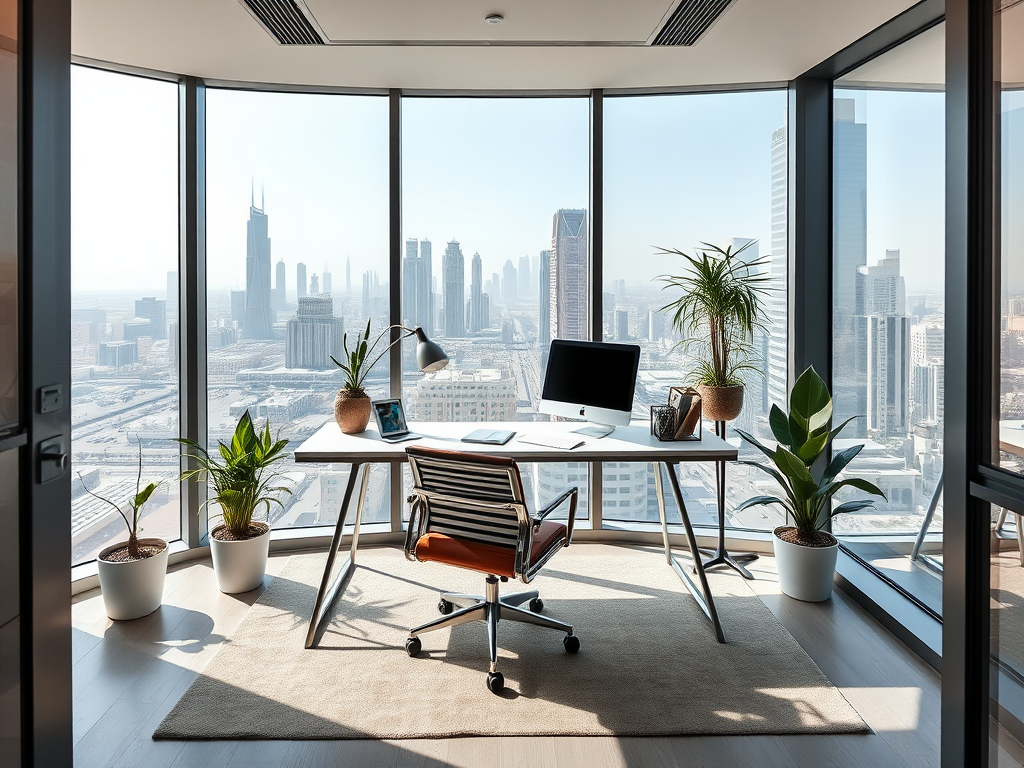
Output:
(680, 172)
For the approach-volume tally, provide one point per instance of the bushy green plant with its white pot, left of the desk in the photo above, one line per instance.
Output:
(240, 476)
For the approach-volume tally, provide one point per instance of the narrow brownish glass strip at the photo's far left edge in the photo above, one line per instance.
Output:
(9, 216)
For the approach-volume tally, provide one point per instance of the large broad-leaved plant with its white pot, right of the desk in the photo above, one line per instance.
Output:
(805, 554)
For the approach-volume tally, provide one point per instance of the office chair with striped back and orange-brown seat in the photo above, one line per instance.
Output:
(470, 511)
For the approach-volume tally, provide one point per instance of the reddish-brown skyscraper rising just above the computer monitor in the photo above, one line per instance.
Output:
(569, 279)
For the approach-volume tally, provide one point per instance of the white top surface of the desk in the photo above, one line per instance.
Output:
(634, 443)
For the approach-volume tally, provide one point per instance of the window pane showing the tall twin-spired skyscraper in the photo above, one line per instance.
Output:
(307, 174)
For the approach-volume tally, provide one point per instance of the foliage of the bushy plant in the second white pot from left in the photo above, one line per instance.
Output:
(241, 474)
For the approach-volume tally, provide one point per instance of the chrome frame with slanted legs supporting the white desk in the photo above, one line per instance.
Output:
(332, 589)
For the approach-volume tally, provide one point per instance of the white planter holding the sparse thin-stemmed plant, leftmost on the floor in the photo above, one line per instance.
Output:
(134, 589)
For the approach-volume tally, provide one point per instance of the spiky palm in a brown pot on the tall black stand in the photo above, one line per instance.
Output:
(717, 312)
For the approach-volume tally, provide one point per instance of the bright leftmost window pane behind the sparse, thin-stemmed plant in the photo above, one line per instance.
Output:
(124, 242)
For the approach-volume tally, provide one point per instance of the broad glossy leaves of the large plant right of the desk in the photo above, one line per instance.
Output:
(808, 484)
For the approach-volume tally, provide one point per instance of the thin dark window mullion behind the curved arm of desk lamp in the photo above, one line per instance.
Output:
(395, 280)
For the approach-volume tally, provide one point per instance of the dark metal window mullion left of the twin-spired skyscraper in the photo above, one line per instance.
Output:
(193, 402)
